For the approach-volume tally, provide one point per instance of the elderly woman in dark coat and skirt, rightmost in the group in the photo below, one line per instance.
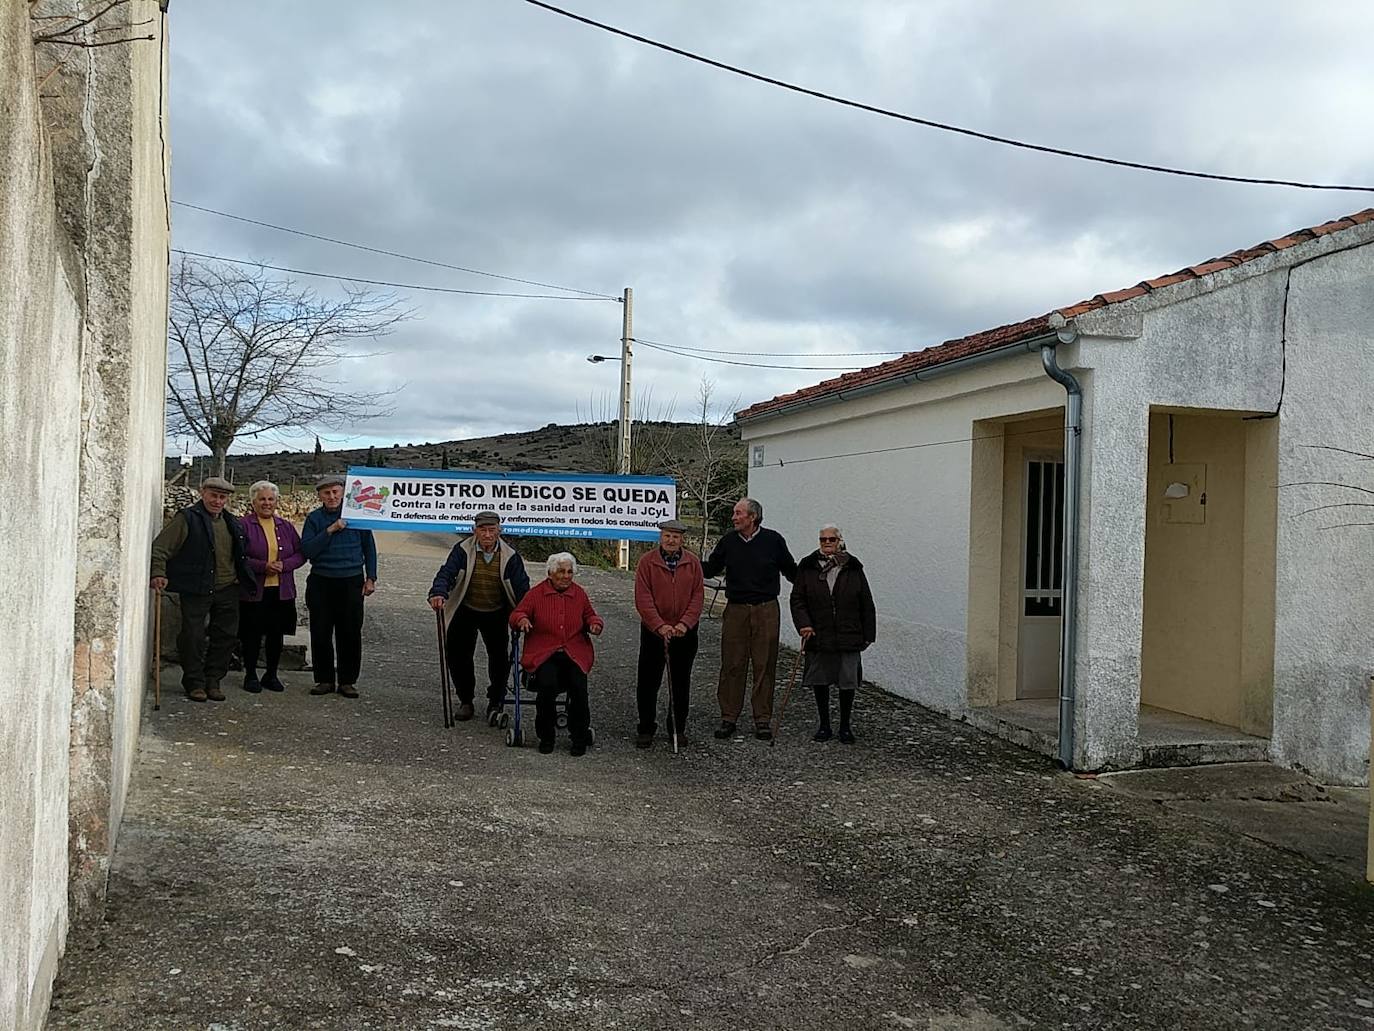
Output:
(832, 608)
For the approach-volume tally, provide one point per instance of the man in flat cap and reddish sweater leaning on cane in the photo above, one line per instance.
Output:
(668, 597)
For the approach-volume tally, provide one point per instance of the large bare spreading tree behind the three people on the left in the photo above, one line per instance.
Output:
(251, 354)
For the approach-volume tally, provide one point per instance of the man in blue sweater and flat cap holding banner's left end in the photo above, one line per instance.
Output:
(343, 574)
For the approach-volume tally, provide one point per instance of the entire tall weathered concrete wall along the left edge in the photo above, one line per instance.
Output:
(67, 289)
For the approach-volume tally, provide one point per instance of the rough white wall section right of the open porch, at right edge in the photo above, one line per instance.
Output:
(1325, 590)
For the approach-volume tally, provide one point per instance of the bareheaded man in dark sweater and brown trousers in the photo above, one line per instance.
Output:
(755, 560)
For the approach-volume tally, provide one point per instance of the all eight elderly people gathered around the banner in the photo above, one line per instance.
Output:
(237, 581)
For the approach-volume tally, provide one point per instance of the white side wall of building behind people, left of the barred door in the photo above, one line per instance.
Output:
(905, 513)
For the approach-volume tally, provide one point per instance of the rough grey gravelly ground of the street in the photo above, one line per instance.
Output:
(297, 863)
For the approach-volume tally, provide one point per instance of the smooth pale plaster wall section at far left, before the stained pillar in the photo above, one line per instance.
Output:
(41, 392)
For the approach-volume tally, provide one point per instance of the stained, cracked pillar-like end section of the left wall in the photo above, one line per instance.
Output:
(120, 210)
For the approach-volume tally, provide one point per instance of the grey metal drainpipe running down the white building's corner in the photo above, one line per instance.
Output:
(1072, 480)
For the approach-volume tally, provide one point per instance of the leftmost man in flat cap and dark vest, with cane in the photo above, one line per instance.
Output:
(200, 555)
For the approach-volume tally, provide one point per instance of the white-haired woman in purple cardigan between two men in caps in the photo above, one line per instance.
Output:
(267, 610)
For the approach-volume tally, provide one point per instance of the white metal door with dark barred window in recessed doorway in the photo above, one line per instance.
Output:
(1042, 577)
